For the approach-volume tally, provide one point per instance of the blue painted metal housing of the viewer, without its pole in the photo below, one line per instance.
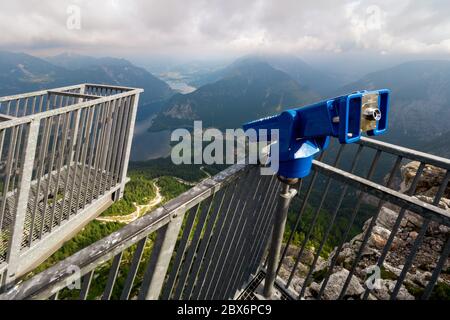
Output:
(305, 131)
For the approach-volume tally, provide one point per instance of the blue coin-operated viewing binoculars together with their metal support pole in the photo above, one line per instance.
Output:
(306, 131)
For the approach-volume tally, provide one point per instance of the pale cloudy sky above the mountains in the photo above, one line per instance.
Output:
(226, 27)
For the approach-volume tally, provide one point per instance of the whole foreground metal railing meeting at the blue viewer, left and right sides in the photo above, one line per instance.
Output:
(212, 241)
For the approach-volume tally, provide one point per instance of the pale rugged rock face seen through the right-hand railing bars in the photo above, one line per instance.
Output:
(417, 277)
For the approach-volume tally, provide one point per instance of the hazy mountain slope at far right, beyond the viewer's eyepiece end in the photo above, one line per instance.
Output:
(420, 111)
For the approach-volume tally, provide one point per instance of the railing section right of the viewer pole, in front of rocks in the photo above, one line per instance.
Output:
(371, 178)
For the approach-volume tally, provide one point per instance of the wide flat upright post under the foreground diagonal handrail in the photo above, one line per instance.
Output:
(160, 259)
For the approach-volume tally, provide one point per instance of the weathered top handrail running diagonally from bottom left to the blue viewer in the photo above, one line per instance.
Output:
(58, 276)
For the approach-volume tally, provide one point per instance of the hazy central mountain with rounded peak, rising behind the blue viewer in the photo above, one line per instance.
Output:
(247, 90)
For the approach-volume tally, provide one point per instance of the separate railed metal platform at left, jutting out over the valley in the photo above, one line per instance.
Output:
(63, 154)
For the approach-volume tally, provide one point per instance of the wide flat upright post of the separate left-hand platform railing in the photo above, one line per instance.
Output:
(13, 257)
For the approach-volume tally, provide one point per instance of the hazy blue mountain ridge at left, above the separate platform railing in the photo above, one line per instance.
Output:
(21, 72)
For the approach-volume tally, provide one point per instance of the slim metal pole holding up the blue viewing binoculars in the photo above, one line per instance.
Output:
(284, 200)
